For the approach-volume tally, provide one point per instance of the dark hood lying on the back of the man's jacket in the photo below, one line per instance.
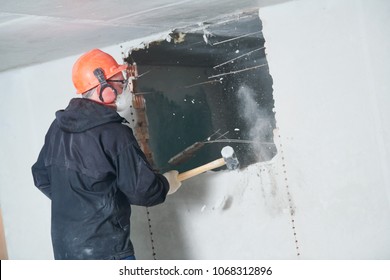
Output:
(83, 114)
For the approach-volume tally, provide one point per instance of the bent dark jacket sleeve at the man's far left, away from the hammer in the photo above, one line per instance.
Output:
(40, 174)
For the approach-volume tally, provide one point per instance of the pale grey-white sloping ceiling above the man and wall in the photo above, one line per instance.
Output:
(36, 31)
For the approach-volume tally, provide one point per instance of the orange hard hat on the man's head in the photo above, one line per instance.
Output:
(82, 73)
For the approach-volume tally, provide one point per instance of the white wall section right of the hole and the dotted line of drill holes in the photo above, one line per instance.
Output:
(330, 64)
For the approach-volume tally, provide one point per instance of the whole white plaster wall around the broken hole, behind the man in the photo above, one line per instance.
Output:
(329, 62)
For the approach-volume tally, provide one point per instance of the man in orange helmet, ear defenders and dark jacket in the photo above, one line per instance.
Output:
(92, 168)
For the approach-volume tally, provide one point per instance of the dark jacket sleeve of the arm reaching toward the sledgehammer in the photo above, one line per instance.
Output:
(137, 180)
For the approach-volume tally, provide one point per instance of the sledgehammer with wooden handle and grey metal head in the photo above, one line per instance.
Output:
(228, 157)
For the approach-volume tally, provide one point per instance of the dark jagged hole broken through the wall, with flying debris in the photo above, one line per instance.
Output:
(207, 88)
